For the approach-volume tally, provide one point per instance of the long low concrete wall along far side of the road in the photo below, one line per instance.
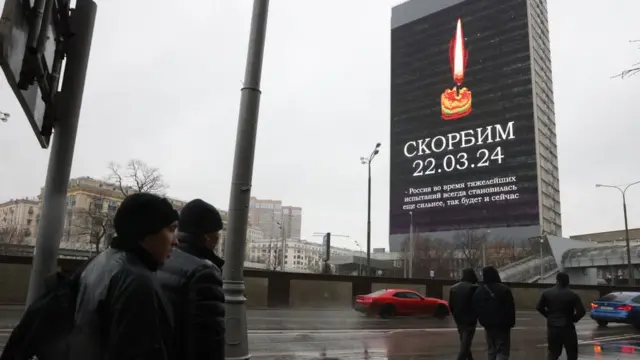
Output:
(278, 289)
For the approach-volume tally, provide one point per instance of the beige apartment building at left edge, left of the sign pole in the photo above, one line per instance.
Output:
(18, 219)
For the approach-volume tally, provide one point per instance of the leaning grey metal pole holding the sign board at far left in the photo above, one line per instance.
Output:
(54, 199)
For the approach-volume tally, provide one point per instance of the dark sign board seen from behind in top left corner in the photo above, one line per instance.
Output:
(14, 36)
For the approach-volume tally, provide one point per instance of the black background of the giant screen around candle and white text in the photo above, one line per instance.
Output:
(498, 74)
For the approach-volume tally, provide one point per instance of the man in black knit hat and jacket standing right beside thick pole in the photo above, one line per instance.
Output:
(192, 281)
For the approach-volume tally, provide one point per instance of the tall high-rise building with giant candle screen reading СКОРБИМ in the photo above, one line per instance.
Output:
(473, 142)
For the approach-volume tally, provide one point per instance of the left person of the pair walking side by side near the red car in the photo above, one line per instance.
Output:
(461, 306)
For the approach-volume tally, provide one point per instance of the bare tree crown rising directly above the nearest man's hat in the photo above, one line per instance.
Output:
(137, 176)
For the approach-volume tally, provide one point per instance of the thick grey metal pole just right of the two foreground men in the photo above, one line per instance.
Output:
(233, 285)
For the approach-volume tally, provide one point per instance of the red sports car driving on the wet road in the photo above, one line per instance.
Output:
(391, 302)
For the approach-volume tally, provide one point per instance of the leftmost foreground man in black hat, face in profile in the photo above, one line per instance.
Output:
(121, 313)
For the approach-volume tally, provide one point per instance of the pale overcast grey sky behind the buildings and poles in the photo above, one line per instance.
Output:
(163, 87)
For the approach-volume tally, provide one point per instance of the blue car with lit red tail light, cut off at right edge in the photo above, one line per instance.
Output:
(617, 307)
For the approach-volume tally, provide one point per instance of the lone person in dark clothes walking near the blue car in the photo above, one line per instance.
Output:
(562, 308)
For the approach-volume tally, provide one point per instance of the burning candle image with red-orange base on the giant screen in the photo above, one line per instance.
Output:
(456, 102)
